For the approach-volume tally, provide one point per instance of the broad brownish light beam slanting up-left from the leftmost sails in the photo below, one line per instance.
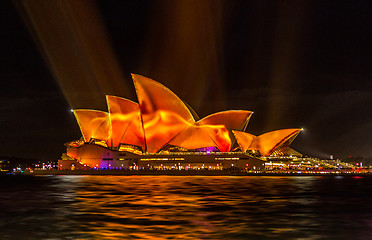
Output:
(75, 44)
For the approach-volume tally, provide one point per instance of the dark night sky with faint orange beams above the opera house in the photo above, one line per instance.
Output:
(296, 64)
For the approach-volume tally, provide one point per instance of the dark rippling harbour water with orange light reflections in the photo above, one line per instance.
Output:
(185, 207)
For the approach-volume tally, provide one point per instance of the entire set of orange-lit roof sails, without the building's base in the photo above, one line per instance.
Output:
(161, 118)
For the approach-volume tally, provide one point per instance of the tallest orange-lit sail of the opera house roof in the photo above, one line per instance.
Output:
(164, 115)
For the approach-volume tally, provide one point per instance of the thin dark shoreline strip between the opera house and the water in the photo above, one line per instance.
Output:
(118, 172)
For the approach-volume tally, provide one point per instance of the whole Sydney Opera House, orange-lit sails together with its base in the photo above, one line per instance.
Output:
(163, 132)
